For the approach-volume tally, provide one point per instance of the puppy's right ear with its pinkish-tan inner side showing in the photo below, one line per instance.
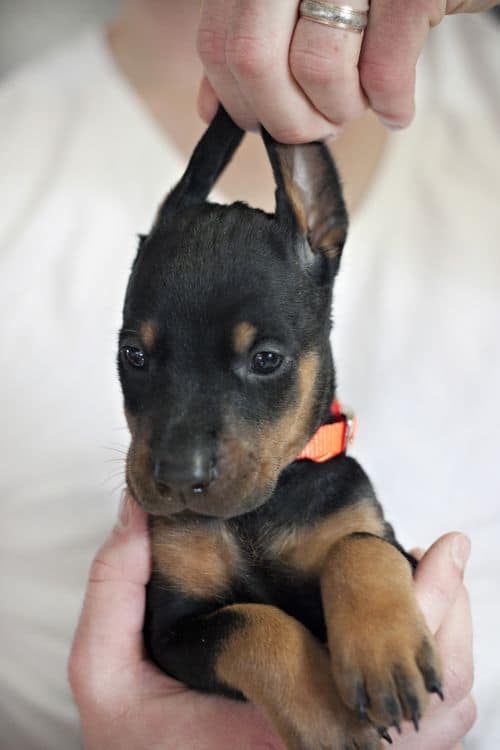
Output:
(309, 194)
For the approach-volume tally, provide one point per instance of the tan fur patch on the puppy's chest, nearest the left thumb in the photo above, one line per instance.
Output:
(198, 560)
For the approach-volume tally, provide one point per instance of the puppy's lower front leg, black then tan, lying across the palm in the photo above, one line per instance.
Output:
(259, 652)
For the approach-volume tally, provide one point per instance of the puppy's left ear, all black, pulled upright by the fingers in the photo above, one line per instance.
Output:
(209, 159)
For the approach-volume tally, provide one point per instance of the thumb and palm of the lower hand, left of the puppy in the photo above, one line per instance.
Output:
(124, 701)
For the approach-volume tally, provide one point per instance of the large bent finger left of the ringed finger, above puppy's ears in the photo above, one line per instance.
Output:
(244, 46)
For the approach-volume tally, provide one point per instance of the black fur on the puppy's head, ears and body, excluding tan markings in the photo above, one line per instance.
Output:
(202, 270)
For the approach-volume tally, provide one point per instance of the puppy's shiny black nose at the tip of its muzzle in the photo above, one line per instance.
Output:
(192, 475)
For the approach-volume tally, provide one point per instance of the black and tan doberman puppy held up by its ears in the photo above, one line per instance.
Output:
(276, 579)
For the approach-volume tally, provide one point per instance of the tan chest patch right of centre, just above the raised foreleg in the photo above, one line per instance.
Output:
(307, 548)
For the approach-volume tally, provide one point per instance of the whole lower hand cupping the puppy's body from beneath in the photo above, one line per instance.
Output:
(125, 703)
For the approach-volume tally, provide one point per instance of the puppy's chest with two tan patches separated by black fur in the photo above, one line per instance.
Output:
(216, 559)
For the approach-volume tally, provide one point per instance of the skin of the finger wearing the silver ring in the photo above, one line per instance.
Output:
(324, 61)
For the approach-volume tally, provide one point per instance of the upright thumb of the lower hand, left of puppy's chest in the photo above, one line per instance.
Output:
(109, 633)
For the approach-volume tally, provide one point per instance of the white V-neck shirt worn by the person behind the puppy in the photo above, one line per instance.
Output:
(417, 312)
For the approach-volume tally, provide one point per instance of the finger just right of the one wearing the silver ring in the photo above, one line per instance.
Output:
(393, 41)
